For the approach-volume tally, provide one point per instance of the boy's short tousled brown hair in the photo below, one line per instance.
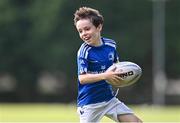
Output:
(88, 13)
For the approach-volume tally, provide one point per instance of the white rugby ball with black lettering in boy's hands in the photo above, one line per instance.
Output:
(129, 72)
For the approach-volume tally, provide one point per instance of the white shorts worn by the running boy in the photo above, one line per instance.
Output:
(95, 112)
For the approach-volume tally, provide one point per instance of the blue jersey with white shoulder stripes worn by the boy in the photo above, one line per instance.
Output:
(92, 59)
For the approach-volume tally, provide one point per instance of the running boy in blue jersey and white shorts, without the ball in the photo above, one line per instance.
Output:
(95, 96)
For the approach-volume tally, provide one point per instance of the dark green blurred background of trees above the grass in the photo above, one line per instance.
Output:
(38, 45)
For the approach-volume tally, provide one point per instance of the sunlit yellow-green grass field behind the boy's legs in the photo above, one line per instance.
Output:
(67, 113)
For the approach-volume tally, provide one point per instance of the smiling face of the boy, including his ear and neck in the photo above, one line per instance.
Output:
(88, 32)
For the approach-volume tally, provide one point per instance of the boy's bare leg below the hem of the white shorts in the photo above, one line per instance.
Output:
(128, 118)
